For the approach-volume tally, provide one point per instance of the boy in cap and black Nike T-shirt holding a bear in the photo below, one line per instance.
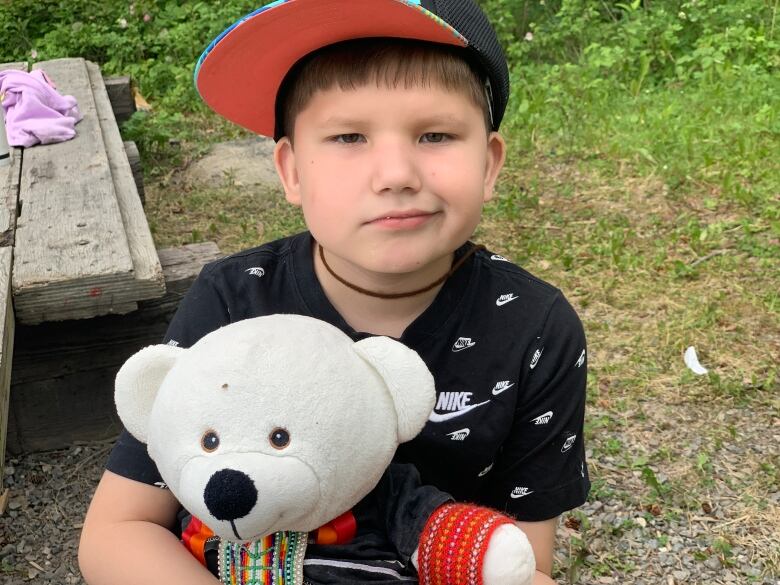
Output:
(385, 114)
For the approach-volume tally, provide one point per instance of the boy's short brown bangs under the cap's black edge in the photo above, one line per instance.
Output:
(389, 63)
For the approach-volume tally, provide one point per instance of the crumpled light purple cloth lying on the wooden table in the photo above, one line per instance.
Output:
(35, 111)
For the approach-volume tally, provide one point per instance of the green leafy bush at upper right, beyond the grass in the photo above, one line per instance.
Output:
(635, 41)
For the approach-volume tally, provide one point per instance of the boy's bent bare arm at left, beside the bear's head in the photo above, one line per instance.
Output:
(126, 539)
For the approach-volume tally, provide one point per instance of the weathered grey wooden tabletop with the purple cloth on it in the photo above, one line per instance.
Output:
(74, 240)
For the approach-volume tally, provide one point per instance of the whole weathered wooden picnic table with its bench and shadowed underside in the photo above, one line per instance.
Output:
(77, 260)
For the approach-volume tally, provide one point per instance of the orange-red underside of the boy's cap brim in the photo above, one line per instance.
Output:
(240, 75)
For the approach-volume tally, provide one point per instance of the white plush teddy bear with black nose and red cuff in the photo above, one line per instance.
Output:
(268, 429)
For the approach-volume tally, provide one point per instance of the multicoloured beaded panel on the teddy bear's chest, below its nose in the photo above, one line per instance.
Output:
(276, 559)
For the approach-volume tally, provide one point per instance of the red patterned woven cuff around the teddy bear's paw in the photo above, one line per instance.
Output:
(453, 544)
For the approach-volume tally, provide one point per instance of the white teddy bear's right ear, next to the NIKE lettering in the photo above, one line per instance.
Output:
(408, 379)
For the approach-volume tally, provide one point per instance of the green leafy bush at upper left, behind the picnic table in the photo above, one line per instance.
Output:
(156, 42)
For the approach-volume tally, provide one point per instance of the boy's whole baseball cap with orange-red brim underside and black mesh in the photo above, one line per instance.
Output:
(240, 73)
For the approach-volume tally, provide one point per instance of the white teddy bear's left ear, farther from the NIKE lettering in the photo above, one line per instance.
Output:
(137, 383)
